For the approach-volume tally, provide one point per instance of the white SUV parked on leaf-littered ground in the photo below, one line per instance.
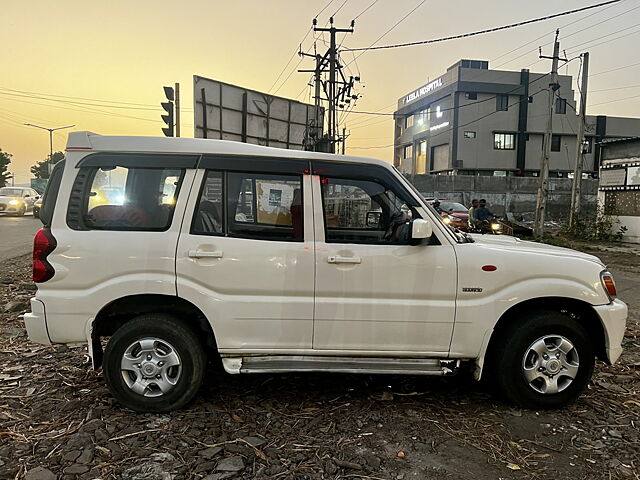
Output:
(180, 250)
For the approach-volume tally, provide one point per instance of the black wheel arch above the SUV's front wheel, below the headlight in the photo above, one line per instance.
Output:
(579, 310)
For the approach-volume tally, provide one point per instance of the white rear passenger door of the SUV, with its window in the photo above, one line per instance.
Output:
(245, 255)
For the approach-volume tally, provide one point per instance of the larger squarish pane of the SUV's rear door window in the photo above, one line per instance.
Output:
(264, 206)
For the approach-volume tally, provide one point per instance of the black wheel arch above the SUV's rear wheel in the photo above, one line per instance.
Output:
(116, 313)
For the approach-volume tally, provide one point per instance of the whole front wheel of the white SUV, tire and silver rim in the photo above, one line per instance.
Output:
(544, 360)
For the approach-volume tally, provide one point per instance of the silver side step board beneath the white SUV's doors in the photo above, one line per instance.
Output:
(311, 363)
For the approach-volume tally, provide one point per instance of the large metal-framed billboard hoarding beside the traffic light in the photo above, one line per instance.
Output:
(230, 112)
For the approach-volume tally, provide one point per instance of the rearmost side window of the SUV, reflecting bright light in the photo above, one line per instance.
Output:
(122, 198)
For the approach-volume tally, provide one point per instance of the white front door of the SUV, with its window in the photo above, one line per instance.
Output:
(375, 291)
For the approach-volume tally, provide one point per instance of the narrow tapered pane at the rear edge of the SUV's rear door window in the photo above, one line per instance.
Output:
(208, 219)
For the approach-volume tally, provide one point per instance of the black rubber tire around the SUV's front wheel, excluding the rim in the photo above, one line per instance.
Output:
(507, 358)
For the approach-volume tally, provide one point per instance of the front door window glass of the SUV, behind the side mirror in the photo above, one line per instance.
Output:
(360, 211)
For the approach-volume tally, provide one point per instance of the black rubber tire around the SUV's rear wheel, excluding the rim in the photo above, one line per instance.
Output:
(165, 328)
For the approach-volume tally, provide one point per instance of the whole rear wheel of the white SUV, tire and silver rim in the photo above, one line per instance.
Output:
(154, 363)
